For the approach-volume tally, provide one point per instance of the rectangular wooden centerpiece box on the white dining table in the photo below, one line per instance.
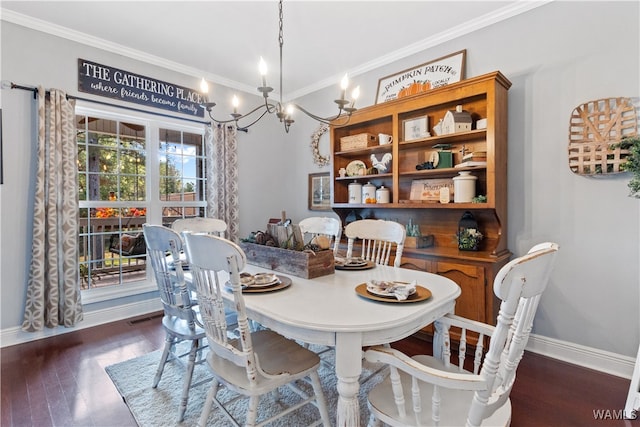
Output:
(305, 264)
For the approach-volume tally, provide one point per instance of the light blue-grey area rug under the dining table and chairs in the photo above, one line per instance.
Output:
(159, 407)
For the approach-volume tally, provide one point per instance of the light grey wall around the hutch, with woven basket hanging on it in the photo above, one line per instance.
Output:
(557, 57)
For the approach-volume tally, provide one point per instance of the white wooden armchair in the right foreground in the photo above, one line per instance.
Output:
(430, 390)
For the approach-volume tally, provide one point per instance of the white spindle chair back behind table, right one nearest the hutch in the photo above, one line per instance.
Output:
(379, 237)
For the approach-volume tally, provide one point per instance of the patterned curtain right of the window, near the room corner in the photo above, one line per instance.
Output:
(222, 177)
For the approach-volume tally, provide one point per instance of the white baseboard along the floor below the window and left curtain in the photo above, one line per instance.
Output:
(16, 335)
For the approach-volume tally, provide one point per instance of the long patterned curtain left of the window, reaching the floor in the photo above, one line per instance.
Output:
(53, 289)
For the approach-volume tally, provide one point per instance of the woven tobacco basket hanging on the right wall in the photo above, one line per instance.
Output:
(594, 129)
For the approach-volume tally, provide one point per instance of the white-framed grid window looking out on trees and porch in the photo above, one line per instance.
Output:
(131, 171)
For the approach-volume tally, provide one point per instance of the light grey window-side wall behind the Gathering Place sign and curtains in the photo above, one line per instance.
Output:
(33, 58)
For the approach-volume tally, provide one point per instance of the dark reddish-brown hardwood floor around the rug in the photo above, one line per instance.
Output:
(61, 381)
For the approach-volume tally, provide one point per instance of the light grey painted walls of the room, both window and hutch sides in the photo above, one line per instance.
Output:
(557, 56)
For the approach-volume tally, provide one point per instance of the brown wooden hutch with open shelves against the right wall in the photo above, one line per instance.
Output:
(483, 97)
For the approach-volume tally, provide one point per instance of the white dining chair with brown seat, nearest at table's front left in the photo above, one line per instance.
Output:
(257, 362)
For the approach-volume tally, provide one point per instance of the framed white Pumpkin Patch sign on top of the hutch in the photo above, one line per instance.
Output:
(430, 75)
